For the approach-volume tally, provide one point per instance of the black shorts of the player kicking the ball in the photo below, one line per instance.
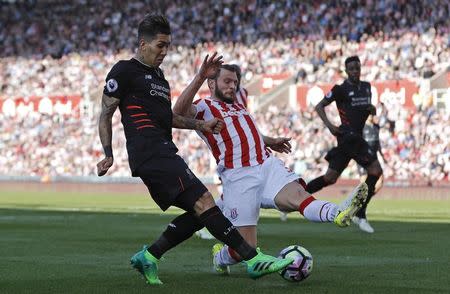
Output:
(170, 182)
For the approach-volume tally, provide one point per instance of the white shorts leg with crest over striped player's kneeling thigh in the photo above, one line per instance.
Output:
(241, 195)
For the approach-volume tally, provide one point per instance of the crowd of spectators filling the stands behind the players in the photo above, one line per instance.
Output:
(67, 47)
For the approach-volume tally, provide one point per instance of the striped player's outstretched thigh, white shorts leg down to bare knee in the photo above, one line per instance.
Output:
(277, 184)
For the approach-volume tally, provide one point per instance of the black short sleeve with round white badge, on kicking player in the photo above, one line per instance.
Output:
(116, 82)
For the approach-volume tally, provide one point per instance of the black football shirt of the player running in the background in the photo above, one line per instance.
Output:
(353, 103)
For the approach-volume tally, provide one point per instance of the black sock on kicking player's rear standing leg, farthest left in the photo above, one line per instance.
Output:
(179, 230)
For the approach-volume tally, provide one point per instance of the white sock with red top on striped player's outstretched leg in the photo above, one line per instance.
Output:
(318, 210)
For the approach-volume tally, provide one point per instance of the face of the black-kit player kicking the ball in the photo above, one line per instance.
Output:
(154, 51)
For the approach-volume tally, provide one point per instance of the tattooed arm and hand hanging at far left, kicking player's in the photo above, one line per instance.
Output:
(109, 106)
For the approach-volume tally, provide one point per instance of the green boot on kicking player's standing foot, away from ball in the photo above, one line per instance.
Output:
(145, 263)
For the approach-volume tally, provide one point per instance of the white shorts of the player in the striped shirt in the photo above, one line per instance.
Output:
(246, 189)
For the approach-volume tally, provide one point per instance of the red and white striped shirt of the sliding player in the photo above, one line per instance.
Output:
(239, 143)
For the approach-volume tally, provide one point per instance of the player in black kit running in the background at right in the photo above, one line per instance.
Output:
(353, 100)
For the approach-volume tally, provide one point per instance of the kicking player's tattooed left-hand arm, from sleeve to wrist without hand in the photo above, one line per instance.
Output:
(109, 106)
